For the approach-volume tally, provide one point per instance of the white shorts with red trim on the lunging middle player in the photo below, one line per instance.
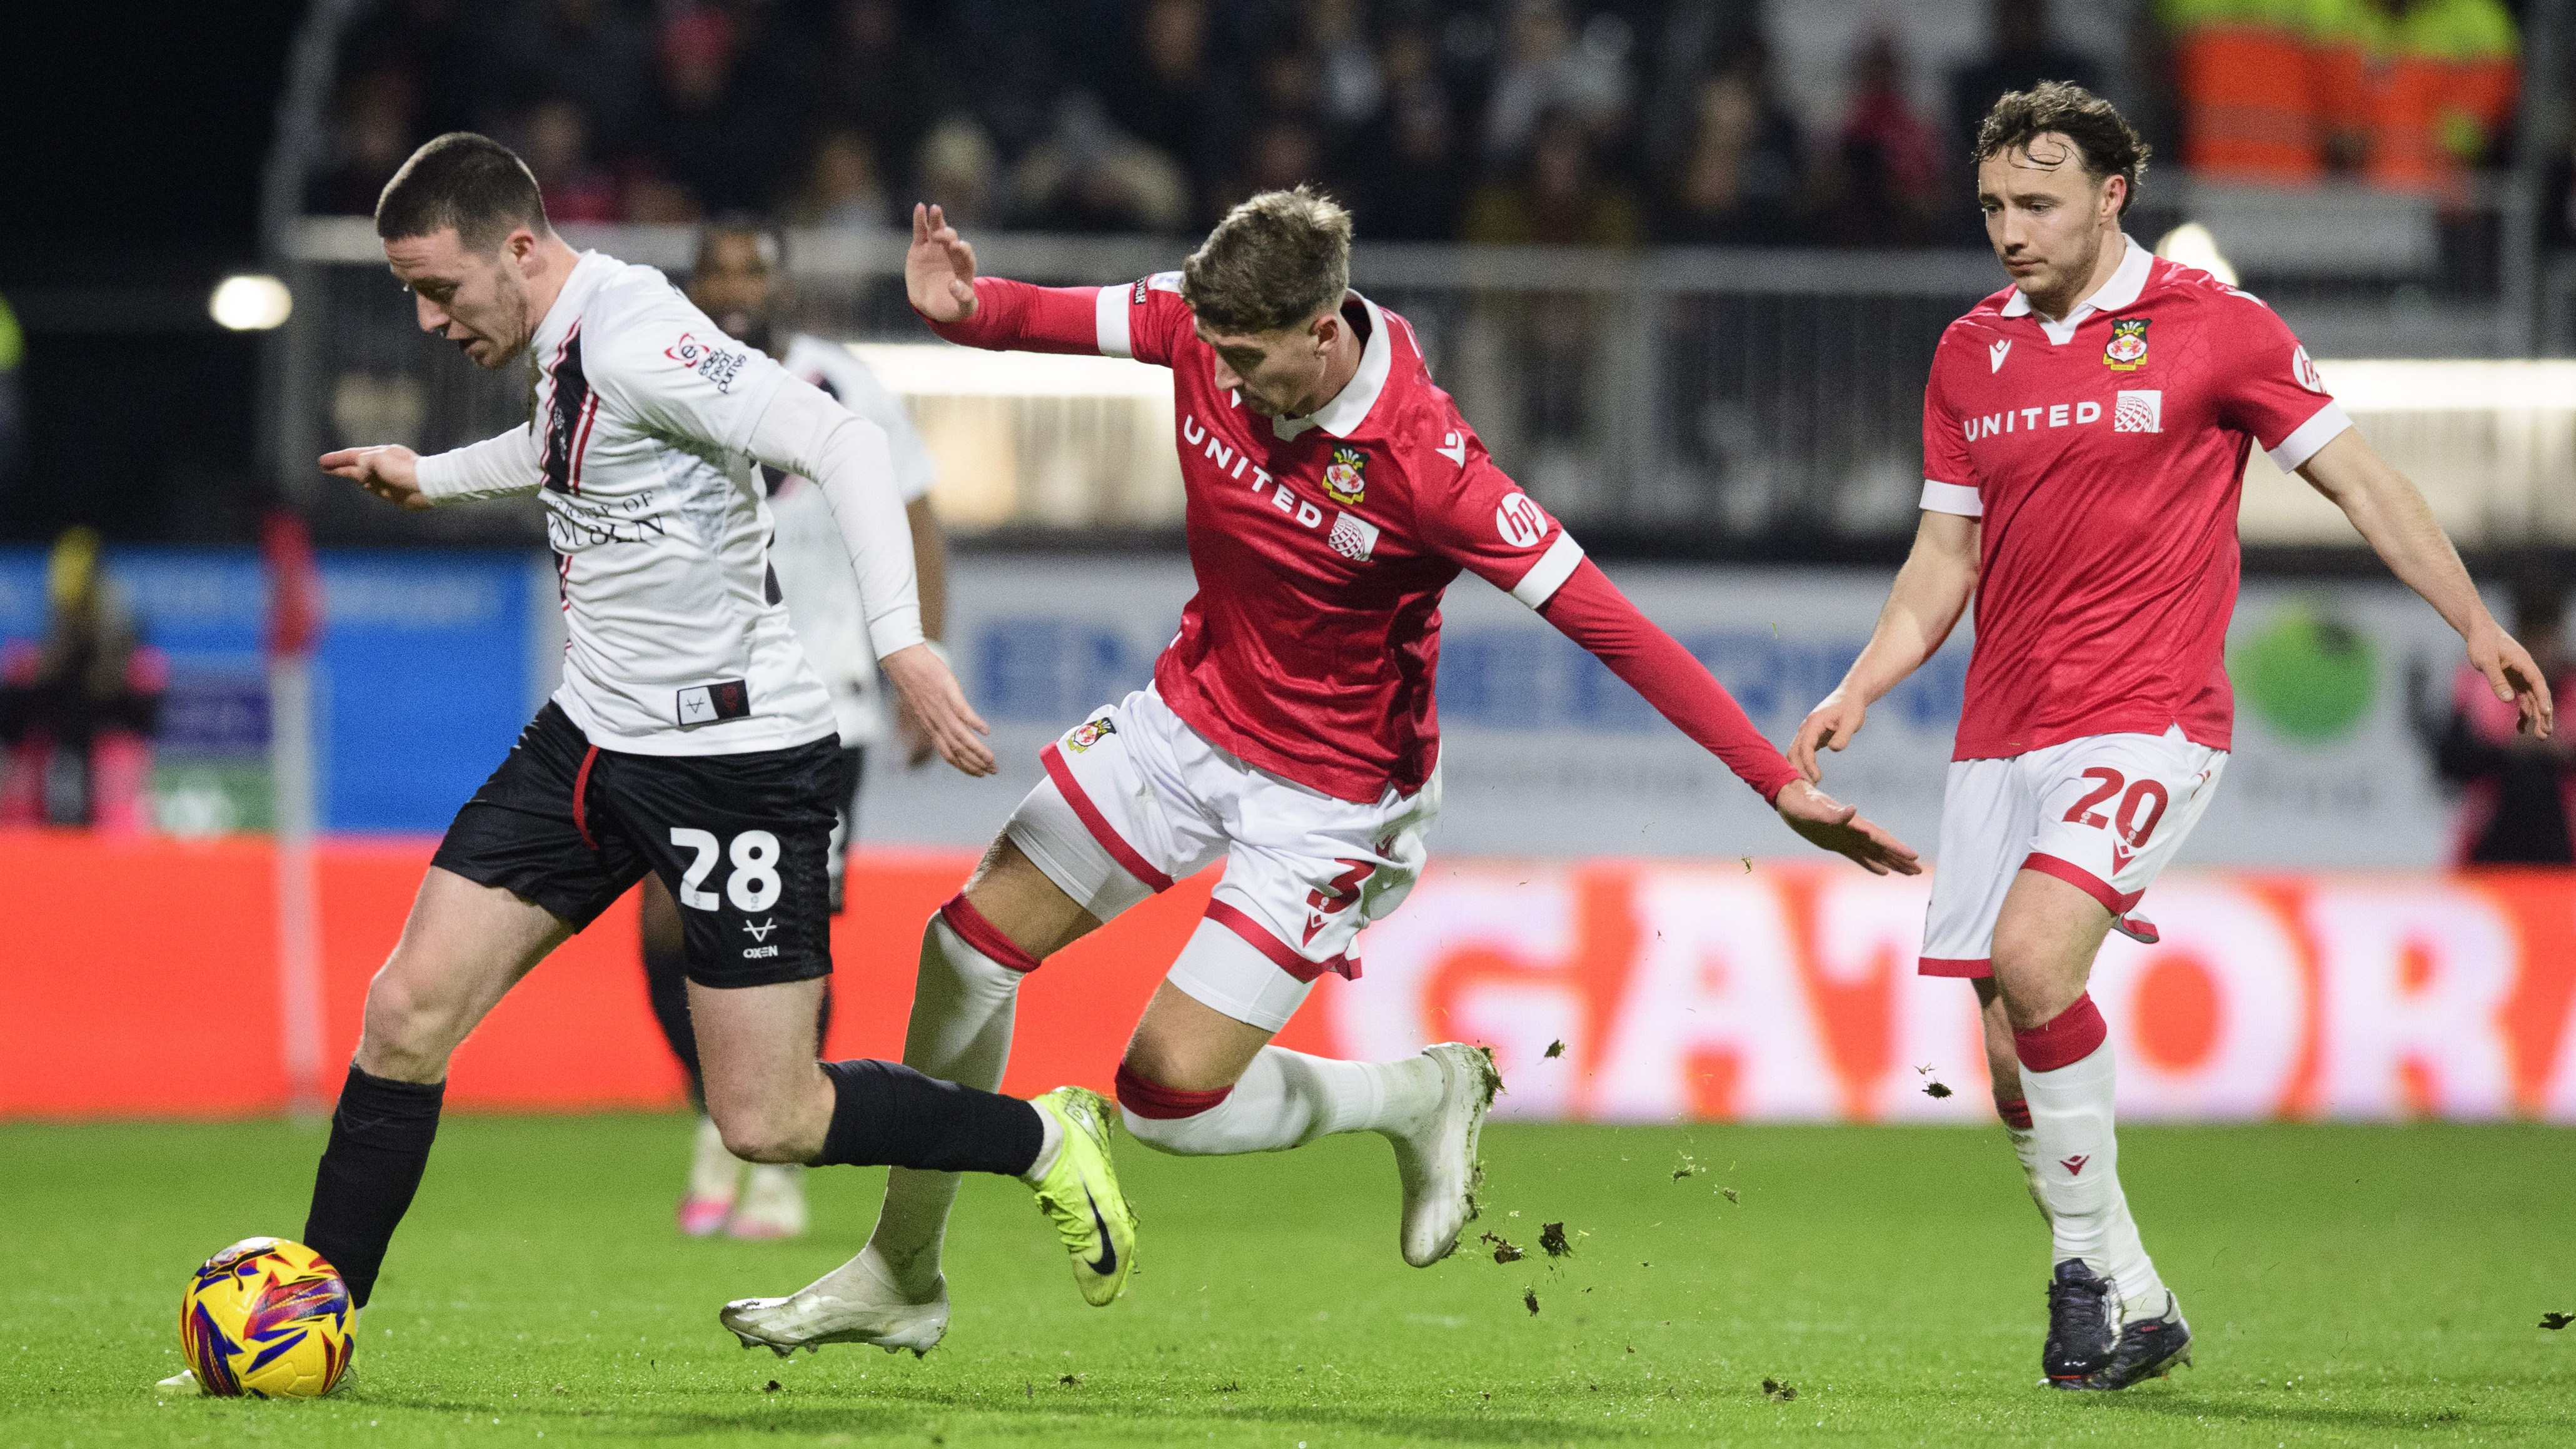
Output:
(1137, 801)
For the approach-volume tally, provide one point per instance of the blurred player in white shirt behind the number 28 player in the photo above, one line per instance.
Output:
(741, 285)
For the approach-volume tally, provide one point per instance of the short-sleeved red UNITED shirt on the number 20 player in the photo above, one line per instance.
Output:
(2106, 458)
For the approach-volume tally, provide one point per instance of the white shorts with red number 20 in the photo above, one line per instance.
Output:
(2103, 813)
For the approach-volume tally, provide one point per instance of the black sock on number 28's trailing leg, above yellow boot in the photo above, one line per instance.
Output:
(890, 1115)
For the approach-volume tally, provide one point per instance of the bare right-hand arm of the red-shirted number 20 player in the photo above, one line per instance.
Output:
(2392, 514)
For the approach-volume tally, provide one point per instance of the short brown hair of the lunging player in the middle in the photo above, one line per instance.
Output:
(1274, 262)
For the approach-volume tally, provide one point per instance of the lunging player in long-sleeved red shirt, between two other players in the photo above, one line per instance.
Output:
(1333, 494)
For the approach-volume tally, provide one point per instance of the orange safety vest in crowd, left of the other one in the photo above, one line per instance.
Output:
(2242, 79)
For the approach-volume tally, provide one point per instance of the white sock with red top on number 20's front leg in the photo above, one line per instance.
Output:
(2070, 1084)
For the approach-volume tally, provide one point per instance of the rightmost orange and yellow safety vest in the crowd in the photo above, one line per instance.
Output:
(2428, 84)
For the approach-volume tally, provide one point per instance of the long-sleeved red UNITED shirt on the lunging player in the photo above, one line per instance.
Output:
(1323, 548)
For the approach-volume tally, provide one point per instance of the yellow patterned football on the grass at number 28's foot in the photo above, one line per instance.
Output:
(267, 1319)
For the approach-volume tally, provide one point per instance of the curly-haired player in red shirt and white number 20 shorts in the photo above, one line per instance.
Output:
(2085, 442)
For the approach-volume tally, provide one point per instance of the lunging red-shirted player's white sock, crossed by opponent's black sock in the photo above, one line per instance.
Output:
(962, 1012)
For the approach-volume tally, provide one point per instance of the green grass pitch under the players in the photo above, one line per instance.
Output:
(2348, 1285)
